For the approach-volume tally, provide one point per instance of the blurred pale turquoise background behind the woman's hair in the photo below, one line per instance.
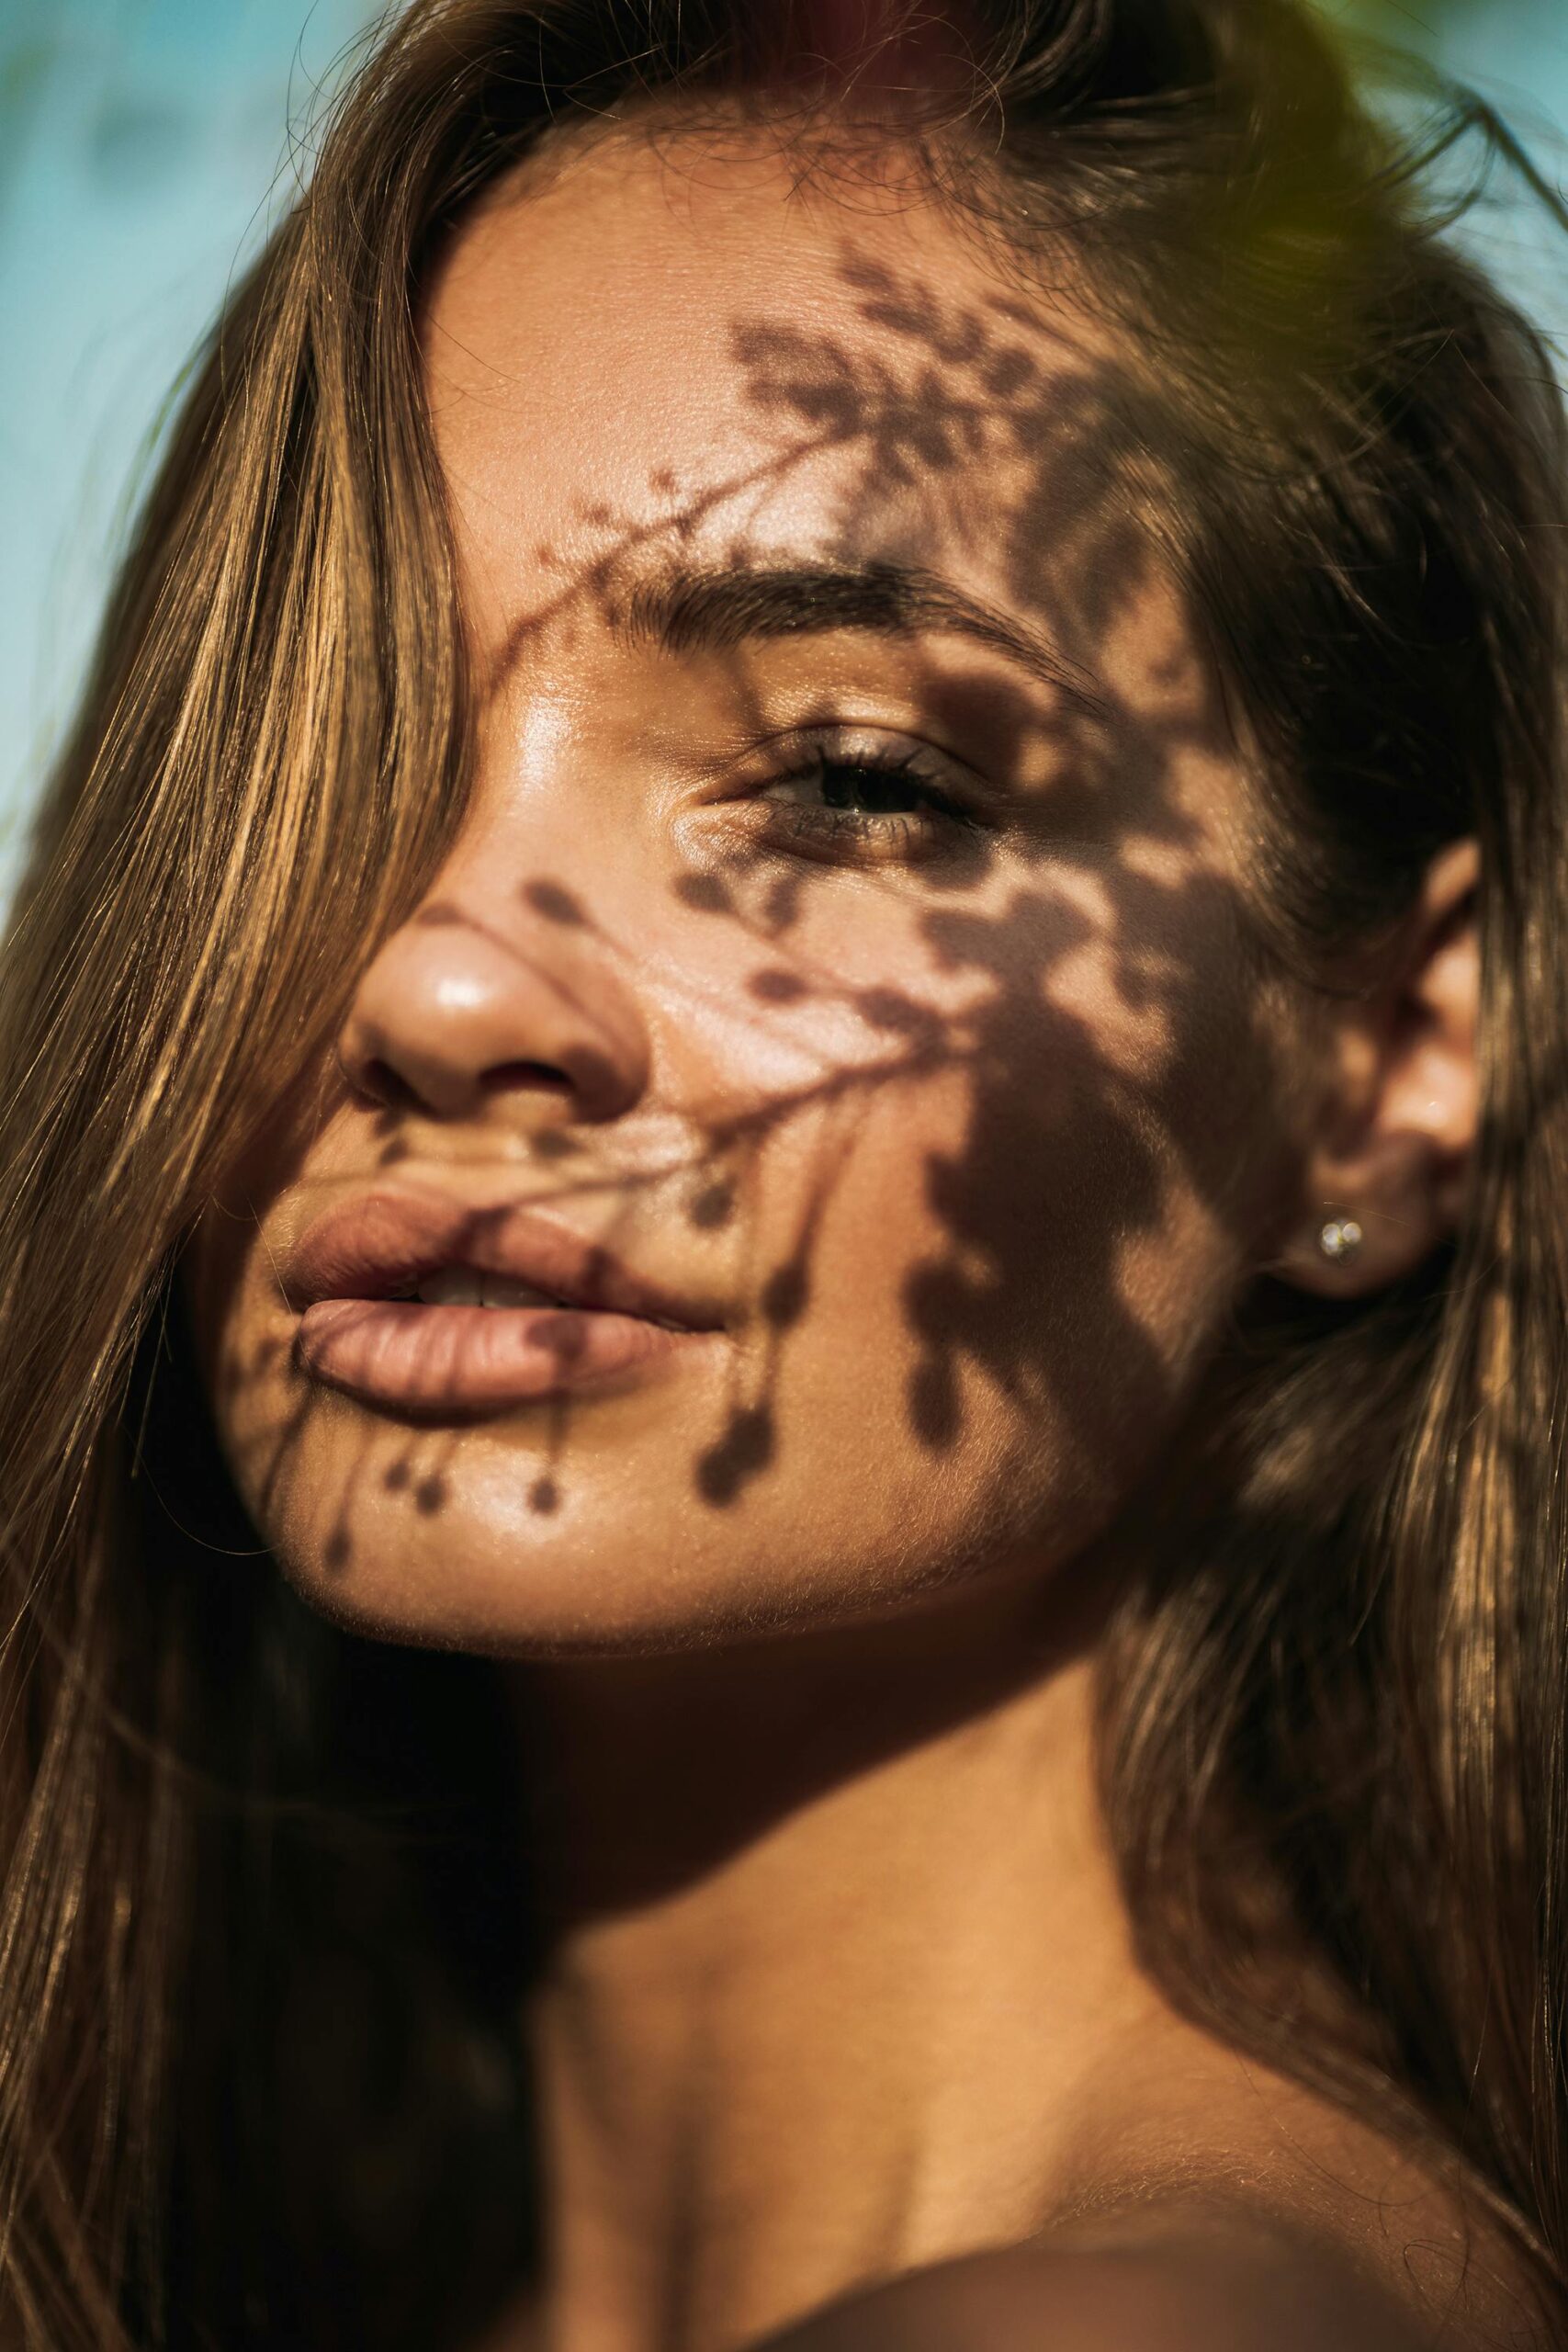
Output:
(149, 145)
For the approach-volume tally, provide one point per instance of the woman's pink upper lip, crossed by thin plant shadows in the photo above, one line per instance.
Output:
(380, 1243)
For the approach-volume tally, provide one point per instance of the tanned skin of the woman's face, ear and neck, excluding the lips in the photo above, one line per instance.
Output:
(972, 1123)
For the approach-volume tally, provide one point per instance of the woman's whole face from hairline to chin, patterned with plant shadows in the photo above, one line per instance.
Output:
(845, 947)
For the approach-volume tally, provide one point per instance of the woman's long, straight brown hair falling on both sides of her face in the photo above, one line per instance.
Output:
(227, 2116)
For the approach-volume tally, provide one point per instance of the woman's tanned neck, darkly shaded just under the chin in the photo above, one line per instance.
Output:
(838, 1975)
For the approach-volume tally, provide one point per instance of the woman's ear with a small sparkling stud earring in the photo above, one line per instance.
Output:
(1393, 1147)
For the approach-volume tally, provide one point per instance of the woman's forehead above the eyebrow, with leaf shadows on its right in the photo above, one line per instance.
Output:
(650, 354)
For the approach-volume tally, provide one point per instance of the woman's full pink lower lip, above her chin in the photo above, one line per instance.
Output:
(420, 1358)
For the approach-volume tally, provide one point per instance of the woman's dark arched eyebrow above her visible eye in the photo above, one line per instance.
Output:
(690, 610)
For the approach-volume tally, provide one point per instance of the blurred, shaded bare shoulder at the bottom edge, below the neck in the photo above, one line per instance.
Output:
(1167, 2290)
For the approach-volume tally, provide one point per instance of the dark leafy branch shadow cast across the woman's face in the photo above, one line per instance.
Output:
(932, 403)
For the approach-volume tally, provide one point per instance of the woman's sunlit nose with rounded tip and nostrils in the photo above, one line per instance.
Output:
(457, 1010)
